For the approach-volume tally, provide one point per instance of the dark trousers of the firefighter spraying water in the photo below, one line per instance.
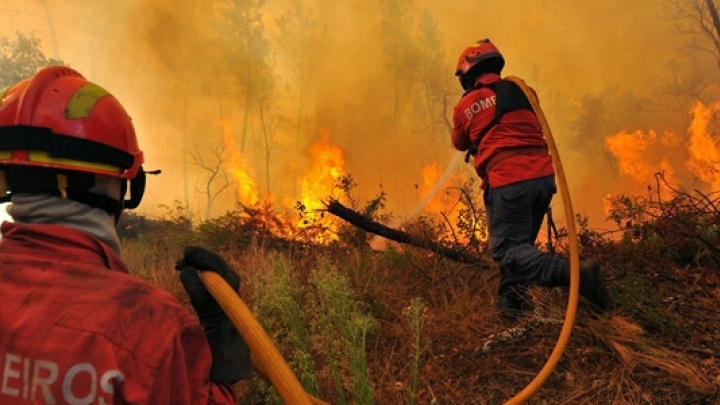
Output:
(515, 214)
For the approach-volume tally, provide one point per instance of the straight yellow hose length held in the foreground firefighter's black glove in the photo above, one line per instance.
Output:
(266, 357)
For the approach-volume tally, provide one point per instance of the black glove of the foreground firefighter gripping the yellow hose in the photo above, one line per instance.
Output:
(230, 353)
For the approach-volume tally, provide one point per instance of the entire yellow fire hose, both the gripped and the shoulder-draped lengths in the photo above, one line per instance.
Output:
(267, 360)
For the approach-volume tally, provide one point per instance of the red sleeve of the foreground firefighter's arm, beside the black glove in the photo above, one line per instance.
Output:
(183, 375)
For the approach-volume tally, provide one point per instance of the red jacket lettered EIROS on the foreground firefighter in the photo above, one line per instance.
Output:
(75, 328)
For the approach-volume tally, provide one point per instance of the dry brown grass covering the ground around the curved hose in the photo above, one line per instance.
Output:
(609, 359)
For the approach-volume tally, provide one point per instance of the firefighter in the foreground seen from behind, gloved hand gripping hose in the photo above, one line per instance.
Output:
(75, 327)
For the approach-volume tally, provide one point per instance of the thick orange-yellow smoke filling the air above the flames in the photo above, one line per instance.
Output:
(599, 68)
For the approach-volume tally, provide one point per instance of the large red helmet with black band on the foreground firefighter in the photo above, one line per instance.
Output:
(59, 120)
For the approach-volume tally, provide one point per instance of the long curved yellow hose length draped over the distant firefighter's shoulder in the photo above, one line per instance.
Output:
(569, 321)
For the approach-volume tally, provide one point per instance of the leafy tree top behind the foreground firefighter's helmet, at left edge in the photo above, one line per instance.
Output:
(21, 57)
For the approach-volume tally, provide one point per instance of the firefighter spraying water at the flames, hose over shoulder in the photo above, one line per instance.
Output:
(495, 123)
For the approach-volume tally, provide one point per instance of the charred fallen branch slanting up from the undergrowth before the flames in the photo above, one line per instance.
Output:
(354, 218)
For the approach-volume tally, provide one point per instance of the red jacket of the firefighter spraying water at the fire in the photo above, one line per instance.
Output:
(516, 129)
